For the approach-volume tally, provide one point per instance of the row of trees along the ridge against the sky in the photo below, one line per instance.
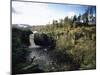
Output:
(88, 17)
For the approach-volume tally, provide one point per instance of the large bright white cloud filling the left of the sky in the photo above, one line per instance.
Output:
(34, 13)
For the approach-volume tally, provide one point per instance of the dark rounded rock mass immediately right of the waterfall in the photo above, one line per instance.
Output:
(44, 40)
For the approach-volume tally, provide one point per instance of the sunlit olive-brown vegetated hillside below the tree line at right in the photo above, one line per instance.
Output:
(77, 43)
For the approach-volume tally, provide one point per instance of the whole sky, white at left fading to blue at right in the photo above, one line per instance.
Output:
(43, 13)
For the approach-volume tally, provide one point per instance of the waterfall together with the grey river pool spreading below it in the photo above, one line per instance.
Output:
(42, 55)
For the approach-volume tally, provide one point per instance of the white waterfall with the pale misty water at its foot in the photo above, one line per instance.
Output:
(41, 55)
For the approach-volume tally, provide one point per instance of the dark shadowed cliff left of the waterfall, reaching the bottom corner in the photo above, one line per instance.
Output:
(20, 44)
